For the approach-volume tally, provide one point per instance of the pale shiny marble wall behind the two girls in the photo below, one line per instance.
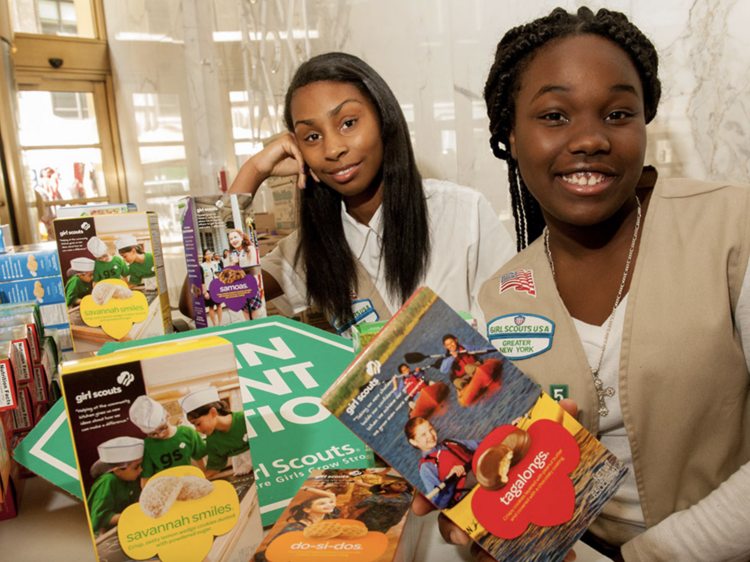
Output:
(200, 84)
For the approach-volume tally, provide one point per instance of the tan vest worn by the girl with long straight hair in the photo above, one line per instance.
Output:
(367, 304)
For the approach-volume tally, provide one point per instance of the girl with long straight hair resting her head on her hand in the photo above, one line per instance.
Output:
(371, 229)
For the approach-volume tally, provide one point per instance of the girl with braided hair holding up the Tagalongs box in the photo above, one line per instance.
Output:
(626, 266)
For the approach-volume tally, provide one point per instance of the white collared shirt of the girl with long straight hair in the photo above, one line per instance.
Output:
(468, 245)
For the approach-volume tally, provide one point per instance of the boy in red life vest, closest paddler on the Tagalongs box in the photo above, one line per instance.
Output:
(445, 467)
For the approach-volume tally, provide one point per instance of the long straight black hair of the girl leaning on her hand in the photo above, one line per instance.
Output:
(323, 250)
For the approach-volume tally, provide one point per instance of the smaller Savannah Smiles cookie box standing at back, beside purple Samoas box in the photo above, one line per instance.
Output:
(113, 275)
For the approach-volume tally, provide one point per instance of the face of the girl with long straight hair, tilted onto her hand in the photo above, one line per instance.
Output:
(338, 132)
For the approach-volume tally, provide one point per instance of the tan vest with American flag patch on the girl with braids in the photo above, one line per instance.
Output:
(683, 380)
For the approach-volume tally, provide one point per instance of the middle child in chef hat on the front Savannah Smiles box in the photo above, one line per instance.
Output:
(165, 445)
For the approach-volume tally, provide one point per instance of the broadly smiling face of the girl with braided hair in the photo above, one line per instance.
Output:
(579, 133)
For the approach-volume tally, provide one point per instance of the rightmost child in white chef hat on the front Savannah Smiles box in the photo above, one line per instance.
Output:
(225, 430)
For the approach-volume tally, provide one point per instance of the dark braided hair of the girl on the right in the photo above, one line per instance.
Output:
(514, 54)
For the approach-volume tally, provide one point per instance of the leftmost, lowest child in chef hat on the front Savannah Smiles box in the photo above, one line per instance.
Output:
(116, 483)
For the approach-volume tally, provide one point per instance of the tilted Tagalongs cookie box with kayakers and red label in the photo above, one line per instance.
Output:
(476, 436)
